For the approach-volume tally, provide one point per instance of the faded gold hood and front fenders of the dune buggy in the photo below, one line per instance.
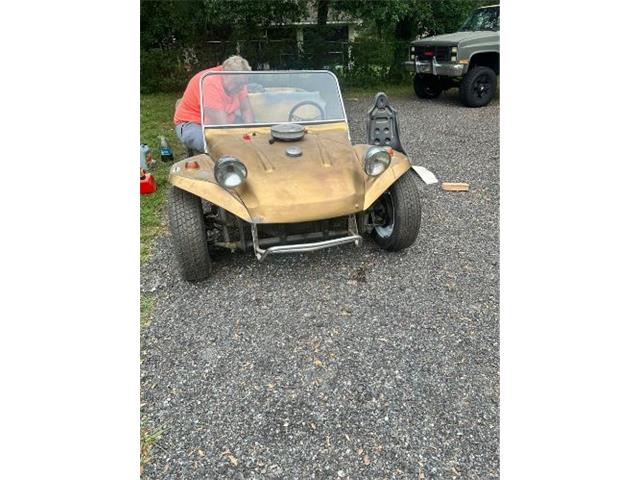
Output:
(327, 181)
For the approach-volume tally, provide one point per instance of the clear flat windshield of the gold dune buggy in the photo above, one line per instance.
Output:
(268, 98)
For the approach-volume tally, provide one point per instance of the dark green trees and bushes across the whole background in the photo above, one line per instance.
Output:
(176, 37)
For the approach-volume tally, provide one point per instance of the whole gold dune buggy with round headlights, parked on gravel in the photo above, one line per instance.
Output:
(291, 180)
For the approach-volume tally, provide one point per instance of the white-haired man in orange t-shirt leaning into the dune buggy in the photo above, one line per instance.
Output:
(225, 97)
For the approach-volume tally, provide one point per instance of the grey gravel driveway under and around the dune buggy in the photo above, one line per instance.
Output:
(344, 363)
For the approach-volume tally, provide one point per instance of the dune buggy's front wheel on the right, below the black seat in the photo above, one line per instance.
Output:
(400, 209)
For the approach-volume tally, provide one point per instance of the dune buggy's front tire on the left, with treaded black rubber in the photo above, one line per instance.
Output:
(186, 221)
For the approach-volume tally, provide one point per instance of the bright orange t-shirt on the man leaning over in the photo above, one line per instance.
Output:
(215, 97)
